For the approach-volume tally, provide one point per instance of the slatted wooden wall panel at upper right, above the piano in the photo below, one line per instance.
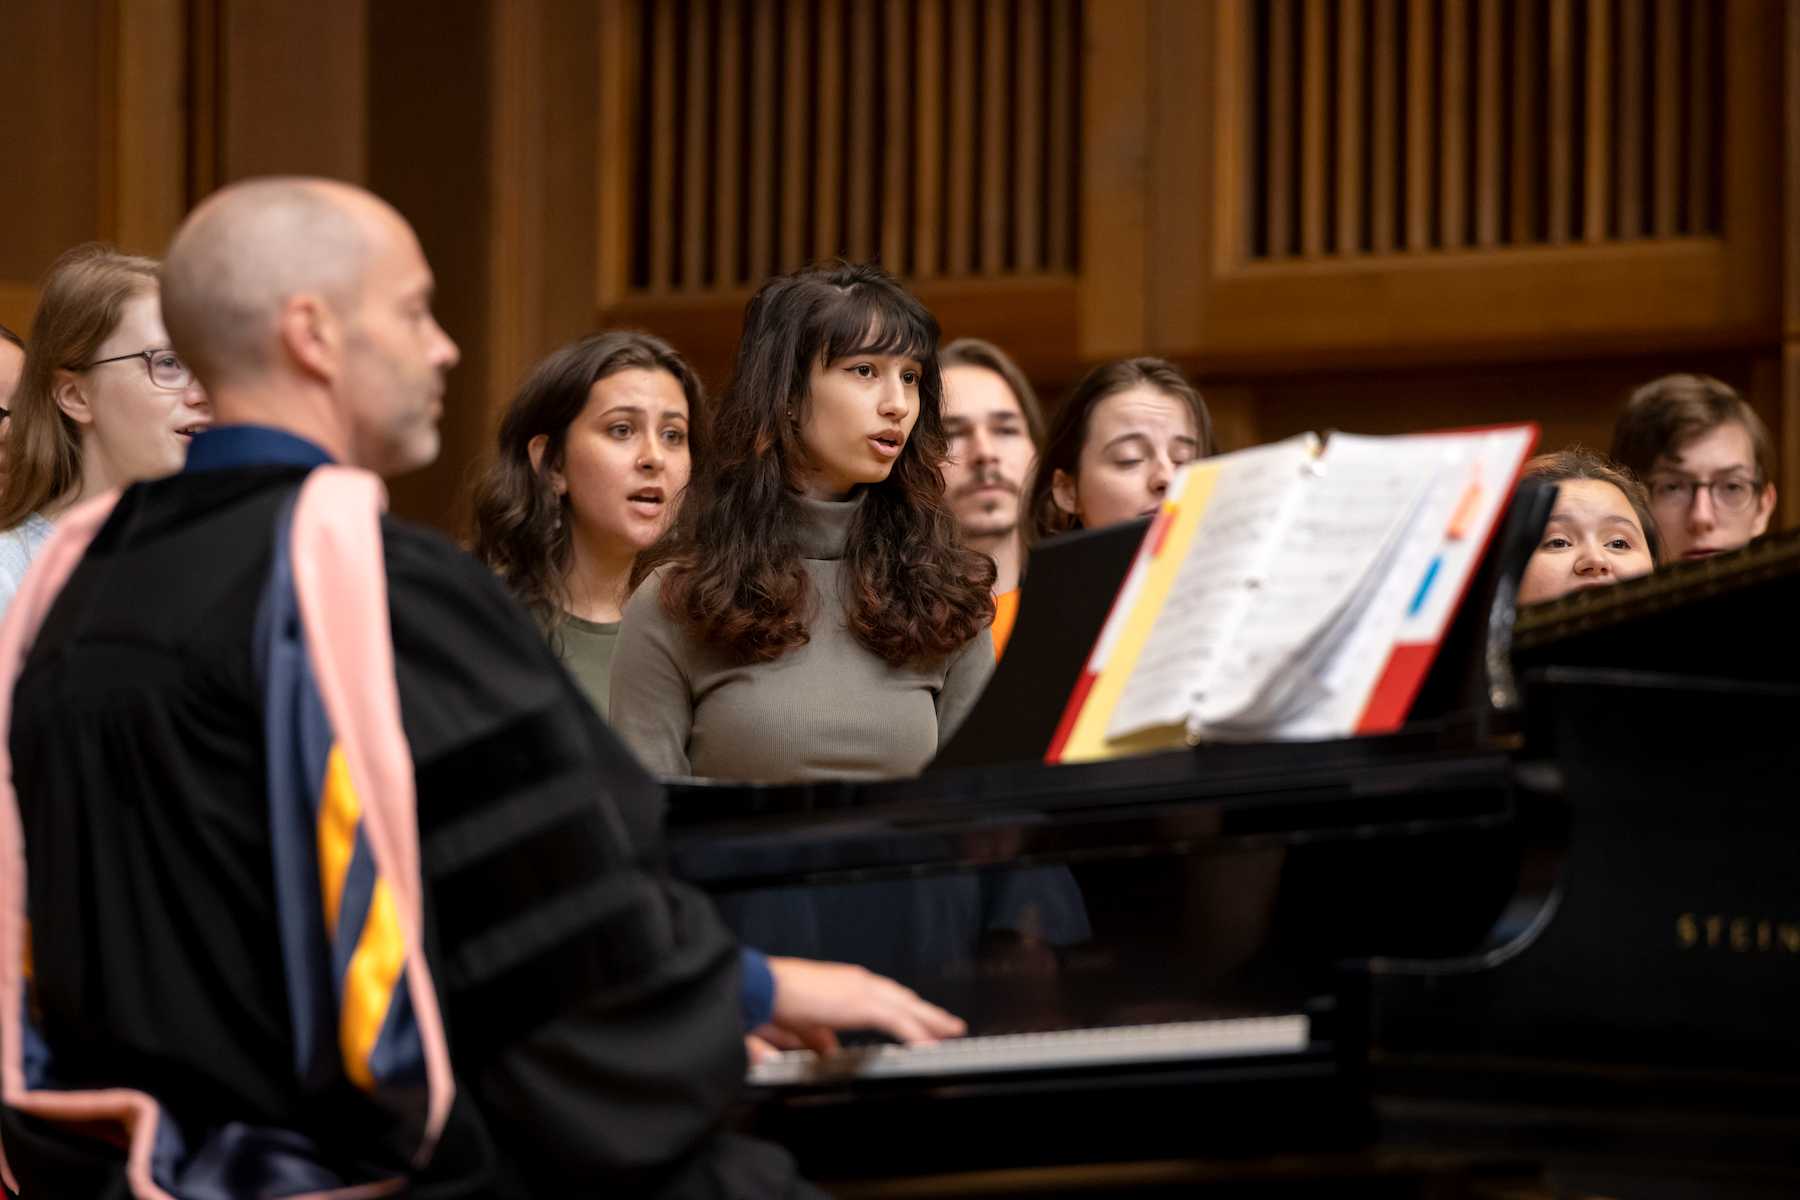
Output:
(1255, 301)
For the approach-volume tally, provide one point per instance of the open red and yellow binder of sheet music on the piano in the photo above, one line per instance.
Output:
(1295, 591)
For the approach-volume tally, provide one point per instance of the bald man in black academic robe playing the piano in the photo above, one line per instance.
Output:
(586, 1012)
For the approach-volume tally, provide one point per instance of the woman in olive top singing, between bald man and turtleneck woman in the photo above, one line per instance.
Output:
(593, 460)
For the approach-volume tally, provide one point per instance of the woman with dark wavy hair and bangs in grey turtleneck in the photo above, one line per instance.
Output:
(813, 614)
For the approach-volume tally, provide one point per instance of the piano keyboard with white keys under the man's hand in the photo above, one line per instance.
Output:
(1043, 1052)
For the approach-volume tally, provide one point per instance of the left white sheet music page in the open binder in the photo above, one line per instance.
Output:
(1223, 575)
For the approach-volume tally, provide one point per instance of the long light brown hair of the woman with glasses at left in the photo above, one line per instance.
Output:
(80, 305)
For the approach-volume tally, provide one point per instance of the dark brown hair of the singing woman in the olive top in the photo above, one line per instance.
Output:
(521, 528)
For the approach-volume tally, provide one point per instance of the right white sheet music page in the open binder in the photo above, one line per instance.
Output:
(1356, 506)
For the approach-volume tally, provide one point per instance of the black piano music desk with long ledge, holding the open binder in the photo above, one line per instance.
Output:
(1448, 766)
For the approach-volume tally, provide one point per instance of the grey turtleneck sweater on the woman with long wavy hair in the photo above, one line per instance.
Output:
(829, 710)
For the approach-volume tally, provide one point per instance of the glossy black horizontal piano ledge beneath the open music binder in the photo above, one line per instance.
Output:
(728, 836)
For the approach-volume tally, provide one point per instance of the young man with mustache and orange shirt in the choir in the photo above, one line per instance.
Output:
(996, 433)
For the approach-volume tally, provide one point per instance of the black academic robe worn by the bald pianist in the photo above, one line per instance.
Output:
(591, 1005)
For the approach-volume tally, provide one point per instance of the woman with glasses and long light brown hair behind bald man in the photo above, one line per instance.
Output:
(103, 402)
